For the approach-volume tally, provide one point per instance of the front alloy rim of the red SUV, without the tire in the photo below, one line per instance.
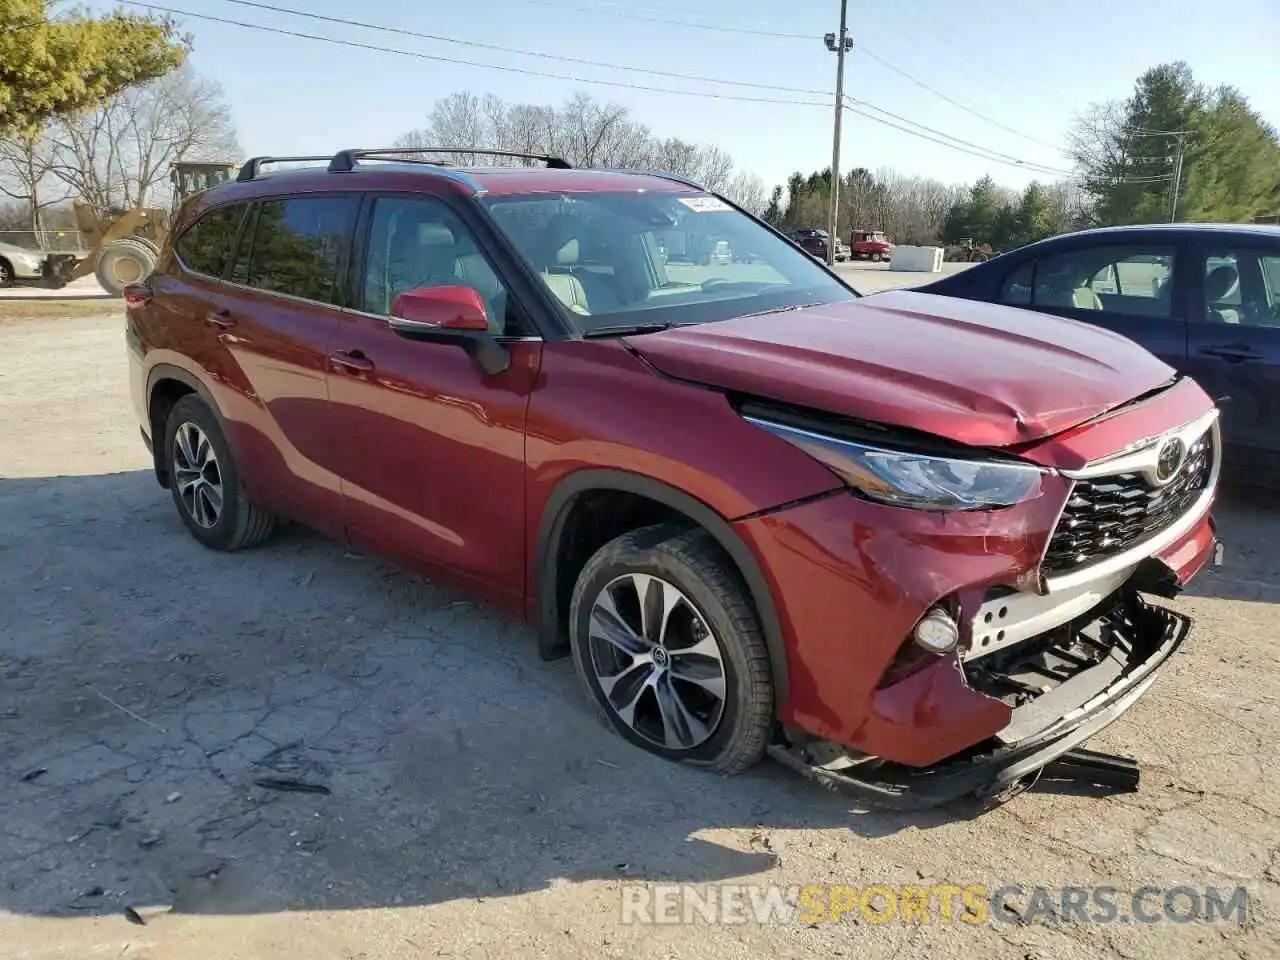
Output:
(657, 662)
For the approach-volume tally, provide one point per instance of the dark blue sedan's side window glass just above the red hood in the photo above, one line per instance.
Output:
(1132, 281)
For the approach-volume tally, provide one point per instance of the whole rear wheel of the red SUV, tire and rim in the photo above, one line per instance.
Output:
(205, 482)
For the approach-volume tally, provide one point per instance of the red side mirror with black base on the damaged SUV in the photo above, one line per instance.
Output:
(451, 314)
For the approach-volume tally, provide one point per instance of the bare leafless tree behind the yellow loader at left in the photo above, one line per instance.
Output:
(116, 157)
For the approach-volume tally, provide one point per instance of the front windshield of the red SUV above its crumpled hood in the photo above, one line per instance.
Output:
(620, 259)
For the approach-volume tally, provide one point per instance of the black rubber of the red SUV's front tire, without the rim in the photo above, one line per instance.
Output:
(691, 561)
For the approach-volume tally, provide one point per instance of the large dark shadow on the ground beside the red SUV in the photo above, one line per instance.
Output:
(299, 728)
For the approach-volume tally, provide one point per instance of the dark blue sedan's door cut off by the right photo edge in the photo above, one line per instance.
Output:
(1235, 346)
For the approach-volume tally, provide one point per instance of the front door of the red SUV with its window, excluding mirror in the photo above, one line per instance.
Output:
(429, 450)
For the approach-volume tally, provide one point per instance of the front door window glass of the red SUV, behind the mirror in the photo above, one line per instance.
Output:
(419, 243)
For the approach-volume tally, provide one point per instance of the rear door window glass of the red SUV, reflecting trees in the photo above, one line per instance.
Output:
(298, 244)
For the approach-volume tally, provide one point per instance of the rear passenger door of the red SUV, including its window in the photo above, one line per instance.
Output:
(276, 319)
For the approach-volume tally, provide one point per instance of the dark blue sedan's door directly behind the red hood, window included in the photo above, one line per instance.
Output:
(1124, 287)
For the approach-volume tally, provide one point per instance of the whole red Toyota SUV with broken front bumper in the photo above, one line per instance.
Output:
(899, 542)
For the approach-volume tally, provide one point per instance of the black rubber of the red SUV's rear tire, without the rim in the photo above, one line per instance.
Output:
(240, 524)
